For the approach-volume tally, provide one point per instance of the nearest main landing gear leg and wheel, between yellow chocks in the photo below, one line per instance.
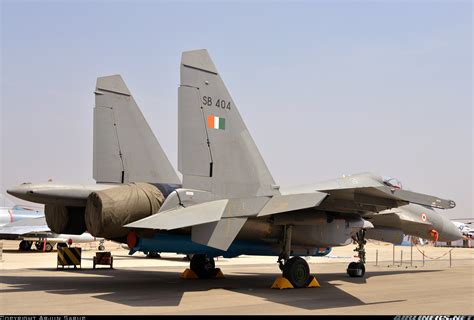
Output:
(295, 269)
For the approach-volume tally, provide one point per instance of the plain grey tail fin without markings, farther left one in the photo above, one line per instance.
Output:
(125, 148)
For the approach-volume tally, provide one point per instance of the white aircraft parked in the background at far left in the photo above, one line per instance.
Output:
(29, 225)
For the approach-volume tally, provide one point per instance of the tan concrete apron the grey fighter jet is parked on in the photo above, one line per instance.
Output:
(30, 284)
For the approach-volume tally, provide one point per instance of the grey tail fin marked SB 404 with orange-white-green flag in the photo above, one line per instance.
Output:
(215, 150)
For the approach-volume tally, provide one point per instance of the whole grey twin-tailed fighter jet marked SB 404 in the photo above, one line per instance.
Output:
(228, 203)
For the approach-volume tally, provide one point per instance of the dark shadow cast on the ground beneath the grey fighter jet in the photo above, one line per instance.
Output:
(143, 288)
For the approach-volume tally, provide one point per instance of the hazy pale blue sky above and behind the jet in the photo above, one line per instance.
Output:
(326, 87)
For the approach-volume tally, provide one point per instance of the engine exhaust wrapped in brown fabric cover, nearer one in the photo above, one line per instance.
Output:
(108, 210)
